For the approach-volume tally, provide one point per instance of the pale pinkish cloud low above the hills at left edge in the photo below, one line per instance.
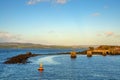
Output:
(5, 36)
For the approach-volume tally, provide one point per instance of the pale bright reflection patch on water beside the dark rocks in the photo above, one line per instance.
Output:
(45, 60)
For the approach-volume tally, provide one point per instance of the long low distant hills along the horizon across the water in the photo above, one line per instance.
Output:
(31, 45)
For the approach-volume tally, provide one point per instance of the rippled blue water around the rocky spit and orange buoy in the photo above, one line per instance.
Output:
(59, 67)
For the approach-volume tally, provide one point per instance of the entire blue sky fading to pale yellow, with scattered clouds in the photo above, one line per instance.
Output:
(60, 22)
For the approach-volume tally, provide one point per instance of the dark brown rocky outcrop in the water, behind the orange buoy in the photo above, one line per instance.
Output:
(22, 58)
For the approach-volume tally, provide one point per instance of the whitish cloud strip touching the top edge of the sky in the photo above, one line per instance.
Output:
(32, 2)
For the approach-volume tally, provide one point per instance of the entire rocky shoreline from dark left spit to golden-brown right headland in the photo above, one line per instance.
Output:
(101, 50)
